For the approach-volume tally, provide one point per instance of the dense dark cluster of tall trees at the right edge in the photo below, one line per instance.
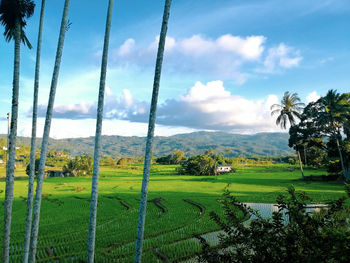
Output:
(322, 137)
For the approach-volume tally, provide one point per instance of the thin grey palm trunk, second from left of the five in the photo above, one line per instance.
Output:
(32, 143)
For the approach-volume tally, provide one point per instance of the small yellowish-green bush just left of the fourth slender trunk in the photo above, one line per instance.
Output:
(80, 165)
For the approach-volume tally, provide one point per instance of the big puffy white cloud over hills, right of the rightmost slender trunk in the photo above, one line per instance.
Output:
(210, 106)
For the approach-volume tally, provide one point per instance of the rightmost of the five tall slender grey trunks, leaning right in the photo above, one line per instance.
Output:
(150, 134)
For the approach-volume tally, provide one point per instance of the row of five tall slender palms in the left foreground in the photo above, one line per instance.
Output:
(13, 15)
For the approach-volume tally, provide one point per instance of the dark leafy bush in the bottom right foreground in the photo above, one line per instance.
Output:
(305, 237)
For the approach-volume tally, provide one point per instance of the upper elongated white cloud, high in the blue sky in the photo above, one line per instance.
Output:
(227, 57)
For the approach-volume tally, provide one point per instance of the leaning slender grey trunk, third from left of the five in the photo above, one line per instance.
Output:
(40, 176)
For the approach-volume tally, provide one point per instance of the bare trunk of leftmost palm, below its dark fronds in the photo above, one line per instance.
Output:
(10, 168)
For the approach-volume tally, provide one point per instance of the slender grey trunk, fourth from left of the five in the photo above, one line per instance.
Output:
(97, 150)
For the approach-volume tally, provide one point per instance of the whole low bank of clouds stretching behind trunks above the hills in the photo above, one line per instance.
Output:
(204, 106)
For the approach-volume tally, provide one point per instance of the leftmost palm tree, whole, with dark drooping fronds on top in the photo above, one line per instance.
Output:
(12, 16)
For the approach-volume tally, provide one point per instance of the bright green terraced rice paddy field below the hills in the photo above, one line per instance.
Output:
(178, 208)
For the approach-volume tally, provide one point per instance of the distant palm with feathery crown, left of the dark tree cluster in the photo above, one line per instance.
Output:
(288, 112)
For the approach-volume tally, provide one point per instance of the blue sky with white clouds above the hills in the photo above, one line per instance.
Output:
(225, 63)
